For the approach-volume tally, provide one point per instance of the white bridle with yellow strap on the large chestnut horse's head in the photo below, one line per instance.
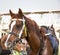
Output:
(19, 35)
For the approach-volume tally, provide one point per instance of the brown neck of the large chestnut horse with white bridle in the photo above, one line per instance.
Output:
(32, 38)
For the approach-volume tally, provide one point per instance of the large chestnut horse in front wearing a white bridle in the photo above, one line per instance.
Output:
(28, 29)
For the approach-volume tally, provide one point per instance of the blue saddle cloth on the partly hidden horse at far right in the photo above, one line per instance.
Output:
(52, 39)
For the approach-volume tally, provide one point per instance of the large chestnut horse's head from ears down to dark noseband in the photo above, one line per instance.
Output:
(17, 22)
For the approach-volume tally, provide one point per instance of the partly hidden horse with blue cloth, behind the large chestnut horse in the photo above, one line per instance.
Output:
(50, 31)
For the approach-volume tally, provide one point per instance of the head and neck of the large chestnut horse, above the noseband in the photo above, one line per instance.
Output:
(23, 27)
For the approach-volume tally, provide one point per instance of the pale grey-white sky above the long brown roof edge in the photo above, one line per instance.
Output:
(29, 5)
